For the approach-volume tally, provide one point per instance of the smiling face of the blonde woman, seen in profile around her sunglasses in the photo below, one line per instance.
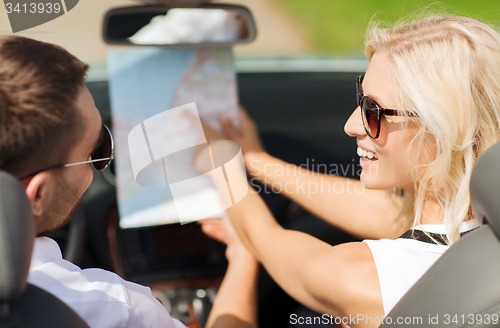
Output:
(390, 166)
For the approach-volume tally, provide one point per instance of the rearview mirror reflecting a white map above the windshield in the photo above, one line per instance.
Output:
(209, 24)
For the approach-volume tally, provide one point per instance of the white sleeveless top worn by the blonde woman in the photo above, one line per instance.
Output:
(401, 262)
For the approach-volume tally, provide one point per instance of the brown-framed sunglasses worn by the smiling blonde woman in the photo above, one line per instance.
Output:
(371, 112)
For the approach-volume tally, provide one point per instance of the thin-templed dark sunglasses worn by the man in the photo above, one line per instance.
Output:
(100, 157)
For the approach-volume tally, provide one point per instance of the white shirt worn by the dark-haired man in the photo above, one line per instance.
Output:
(100, 297)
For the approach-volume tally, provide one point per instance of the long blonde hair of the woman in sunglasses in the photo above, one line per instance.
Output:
(447, 70)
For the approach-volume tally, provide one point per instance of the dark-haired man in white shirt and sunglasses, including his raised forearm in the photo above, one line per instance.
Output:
(50, 134)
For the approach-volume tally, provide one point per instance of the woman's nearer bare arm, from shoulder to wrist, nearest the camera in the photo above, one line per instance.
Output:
(339, 281)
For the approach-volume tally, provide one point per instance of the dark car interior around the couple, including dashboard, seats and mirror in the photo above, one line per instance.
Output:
(300, 114)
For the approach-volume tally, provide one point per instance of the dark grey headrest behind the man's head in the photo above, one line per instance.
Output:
(17, 233)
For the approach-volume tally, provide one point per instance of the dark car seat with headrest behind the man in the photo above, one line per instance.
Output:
(22, 304)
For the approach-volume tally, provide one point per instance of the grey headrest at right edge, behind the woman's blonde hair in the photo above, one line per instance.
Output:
(485, 188)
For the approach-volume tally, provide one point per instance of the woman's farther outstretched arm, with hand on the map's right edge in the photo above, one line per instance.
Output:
(342, 202)
